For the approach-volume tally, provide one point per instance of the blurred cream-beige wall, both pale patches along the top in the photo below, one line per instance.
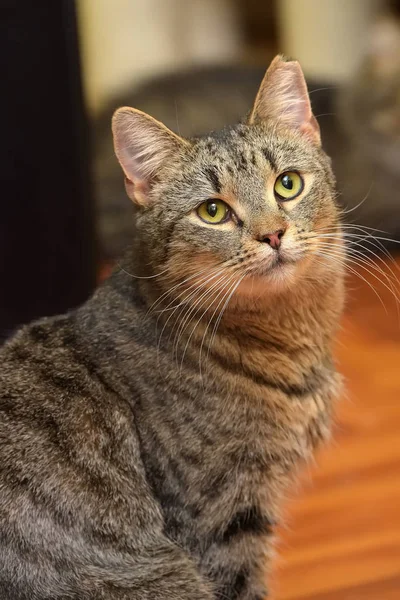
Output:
(125, 41)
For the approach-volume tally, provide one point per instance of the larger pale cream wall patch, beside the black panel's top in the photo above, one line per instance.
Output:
(125, 41)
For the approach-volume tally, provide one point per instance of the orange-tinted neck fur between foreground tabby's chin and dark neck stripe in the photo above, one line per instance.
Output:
(304, 313)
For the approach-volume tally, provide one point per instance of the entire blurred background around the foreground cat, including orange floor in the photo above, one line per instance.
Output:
(196, 65)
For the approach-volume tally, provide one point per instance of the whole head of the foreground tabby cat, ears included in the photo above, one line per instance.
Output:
(251, 201)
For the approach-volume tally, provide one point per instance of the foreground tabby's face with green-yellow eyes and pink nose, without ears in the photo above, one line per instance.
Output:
(224, 203)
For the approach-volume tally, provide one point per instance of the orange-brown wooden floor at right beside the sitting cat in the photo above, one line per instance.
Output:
(342, 539)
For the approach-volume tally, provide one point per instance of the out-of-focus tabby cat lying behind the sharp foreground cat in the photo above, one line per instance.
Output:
(360, 122)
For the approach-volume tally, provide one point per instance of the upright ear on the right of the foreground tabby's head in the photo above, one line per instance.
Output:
(283, 97)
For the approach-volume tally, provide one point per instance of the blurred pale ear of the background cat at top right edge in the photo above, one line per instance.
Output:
(383, 50)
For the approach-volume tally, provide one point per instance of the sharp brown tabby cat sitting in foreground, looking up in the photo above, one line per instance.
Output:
(147, 438)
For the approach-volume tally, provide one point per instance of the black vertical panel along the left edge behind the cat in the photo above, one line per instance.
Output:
(47, 257)
